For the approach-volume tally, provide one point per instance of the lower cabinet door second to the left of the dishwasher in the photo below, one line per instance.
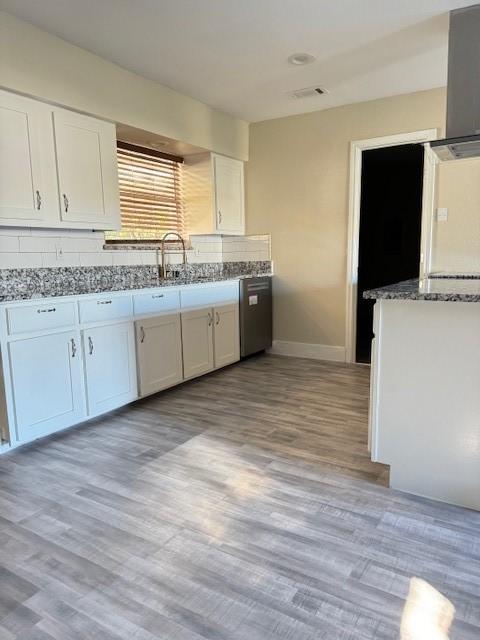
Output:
(197, 342)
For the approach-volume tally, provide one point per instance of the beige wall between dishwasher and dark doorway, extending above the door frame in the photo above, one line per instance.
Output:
(297, 189)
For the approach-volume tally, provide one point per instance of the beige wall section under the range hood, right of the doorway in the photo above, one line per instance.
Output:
(457, 240)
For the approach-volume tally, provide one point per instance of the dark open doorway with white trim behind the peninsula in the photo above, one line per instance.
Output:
(390, 227)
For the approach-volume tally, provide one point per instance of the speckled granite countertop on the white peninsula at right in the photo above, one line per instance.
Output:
(449, 289)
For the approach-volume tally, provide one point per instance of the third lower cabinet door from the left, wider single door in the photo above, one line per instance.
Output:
(159, 353)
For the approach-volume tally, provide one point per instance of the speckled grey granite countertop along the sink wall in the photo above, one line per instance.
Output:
(30, 284)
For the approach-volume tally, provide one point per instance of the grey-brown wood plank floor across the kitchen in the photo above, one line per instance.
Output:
(240, 506)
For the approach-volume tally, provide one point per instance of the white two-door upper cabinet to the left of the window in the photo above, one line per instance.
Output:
(57, 168)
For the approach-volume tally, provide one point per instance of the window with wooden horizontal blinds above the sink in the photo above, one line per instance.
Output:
(150, 194)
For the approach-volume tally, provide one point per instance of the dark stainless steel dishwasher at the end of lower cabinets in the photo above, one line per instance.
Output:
(255, 315)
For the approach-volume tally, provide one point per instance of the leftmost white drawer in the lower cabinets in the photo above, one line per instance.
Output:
(40, 317)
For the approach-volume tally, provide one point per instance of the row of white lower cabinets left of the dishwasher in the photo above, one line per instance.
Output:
(68, 360)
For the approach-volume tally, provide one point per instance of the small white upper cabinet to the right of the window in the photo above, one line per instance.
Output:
(214, 194)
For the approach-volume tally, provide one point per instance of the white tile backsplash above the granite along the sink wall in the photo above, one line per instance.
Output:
(24, 248)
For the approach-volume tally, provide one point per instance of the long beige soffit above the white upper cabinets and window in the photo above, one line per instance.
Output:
(38, 64)
